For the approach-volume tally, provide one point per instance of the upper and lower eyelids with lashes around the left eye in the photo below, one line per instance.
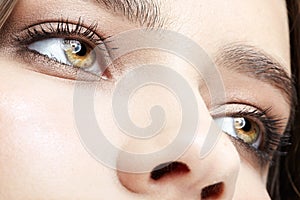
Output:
(66, 30)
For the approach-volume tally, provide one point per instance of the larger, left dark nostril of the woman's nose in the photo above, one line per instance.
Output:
(168, 169)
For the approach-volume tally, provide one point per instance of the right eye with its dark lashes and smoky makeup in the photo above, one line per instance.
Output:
(254, 130)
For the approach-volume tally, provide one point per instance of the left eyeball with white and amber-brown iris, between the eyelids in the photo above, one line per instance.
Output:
(72, 52)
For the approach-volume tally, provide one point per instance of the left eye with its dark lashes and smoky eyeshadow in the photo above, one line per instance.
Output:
(69, 50)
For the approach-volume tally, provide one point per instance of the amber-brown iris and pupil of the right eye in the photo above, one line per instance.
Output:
(246, 130)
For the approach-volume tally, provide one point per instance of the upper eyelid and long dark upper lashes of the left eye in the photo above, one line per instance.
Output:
(65, 29)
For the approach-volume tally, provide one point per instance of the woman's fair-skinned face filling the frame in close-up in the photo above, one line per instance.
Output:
(46, 44)
